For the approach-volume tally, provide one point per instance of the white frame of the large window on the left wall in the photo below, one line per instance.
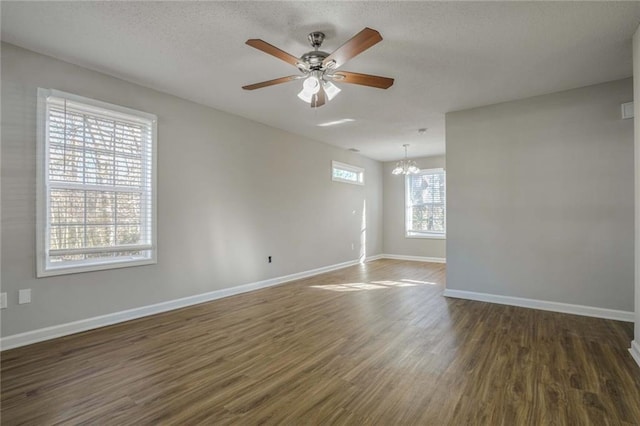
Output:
(44, 267)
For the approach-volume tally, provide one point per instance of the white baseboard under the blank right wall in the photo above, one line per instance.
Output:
(589, 311)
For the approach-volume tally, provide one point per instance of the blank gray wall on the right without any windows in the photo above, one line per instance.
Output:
(540, 198)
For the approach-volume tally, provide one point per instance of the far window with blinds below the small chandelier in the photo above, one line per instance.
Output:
(425, 204)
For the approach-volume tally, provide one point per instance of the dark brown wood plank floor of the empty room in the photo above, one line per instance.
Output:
(372, 344)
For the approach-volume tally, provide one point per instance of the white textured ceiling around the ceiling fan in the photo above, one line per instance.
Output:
(445, 56)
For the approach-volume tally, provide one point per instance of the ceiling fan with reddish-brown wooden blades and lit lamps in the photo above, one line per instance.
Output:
(319, 69)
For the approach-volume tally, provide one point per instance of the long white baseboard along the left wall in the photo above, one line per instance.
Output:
(34, 336)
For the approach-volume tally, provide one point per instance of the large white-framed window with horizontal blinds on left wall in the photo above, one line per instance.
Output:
(96, 185)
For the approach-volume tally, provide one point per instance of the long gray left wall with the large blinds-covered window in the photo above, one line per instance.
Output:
(230, 193)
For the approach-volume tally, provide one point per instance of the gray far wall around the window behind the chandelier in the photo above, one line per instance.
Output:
(394, 239)
